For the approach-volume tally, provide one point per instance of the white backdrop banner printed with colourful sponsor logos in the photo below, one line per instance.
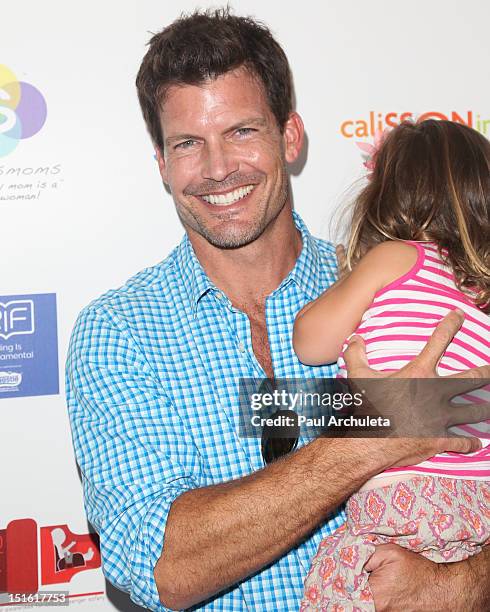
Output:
(82, 206)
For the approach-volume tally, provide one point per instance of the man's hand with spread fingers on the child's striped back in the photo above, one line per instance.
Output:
(421, 411)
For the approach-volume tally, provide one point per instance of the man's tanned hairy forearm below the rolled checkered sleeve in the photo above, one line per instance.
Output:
(216, 536)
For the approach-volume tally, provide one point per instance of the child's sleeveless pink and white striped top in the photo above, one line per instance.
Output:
(397, 326)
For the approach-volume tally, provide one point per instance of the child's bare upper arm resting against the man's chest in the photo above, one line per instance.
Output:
(322, 326)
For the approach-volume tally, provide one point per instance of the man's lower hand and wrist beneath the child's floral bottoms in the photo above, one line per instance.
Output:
(404, 580)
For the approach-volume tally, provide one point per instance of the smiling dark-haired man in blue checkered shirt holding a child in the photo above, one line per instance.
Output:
(187, 512)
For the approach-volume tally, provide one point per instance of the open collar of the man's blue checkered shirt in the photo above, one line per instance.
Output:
(306, 272)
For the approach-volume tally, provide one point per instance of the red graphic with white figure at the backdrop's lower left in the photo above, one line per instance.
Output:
(63, 554)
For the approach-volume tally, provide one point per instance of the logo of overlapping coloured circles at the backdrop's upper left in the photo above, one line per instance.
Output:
(23, 110)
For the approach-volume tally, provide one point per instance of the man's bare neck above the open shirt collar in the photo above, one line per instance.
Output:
(249, 274)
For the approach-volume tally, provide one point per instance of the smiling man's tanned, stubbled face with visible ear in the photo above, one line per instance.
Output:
(225, 158)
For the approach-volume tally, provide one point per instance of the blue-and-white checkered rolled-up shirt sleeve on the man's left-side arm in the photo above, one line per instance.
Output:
(134, 453)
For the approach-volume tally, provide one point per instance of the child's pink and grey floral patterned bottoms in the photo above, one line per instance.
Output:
(443, 519)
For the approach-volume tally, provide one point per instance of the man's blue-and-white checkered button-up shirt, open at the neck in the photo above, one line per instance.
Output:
(152, 388)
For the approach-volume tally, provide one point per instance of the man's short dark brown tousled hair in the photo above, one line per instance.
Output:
(205, 45)
